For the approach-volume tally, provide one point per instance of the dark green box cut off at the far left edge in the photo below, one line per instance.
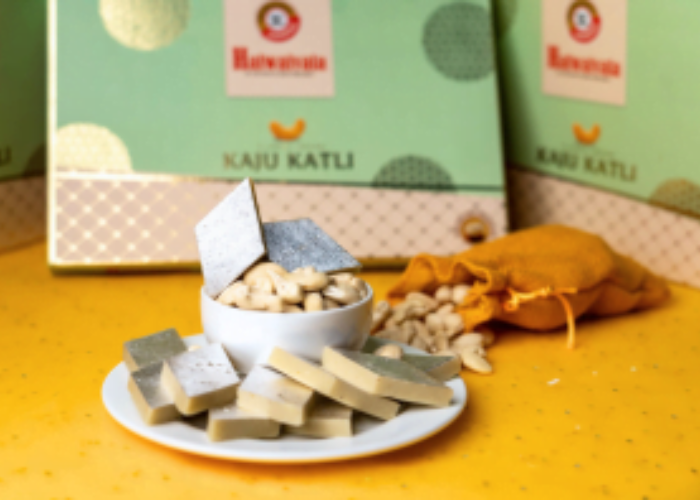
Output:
(22, 122)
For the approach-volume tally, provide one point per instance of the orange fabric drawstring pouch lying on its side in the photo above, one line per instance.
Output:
(538, 279)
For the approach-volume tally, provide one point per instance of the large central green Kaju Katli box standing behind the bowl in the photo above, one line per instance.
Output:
(379, 122)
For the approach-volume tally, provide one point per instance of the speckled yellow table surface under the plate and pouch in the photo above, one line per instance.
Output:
(621, 422)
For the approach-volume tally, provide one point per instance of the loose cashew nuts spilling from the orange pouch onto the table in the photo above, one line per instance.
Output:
(430, 324)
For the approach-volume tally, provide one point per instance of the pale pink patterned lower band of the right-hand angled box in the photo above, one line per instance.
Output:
(667, 243)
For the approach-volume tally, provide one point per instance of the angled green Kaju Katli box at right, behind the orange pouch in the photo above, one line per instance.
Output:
(601, 115)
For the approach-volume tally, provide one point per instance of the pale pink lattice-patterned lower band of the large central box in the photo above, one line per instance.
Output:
(115, 219)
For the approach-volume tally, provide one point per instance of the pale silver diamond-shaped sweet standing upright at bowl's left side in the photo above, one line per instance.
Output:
(230, 239)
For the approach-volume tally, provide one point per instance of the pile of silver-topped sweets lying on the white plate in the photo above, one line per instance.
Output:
(291, 394)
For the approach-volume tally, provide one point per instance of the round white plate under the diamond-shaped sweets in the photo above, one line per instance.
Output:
(371, 437)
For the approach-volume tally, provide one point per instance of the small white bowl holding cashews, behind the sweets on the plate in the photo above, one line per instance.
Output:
(250, 336)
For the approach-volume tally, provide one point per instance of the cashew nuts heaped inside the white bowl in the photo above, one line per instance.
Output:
(269, 287)
